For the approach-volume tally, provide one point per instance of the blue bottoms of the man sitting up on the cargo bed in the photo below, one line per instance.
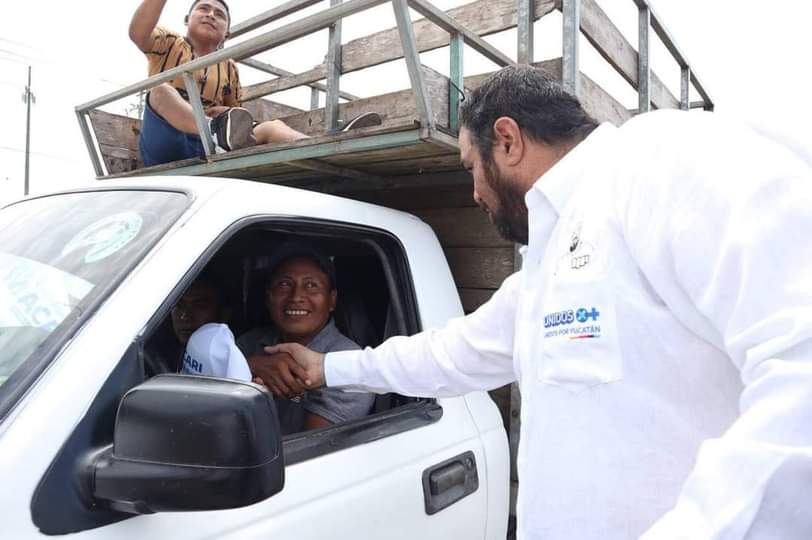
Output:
(160, 142)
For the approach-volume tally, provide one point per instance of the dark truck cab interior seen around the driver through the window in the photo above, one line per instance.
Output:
(375, 296)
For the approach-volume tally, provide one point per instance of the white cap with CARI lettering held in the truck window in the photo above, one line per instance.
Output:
(211, 351)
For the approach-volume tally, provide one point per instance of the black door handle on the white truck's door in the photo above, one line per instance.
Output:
(449, 481)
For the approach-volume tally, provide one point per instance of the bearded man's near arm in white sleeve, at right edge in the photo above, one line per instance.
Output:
(725, 242)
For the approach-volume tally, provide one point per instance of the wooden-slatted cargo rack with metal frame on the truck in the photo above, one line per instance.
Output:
(418, 133)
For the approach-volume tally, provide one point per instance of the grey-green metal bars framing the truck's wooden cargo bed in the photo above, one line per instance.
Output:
(460, 36)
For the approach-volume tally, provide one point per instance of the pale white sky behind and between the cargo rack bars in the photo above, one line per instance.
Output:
(751, 56)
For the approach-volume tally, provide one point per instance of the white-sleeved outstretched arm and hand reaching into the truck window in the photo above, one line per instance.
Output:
(470, 353)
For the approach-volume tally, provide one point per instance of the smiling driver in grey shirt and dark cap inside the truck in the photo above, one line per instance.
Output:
(300, 297)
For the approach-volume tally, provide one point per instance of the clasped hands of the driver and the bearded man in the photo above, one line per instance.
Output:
(288, 369)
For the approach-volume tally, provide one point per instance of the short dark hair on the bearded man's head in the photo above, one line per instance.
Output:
(538, 103)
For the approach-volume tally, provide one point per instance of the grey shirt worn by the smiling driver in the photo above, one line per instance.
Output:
(330, 403)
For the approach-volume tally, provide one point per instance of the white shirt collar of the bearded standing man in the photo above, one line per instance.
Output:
(559, 183)
